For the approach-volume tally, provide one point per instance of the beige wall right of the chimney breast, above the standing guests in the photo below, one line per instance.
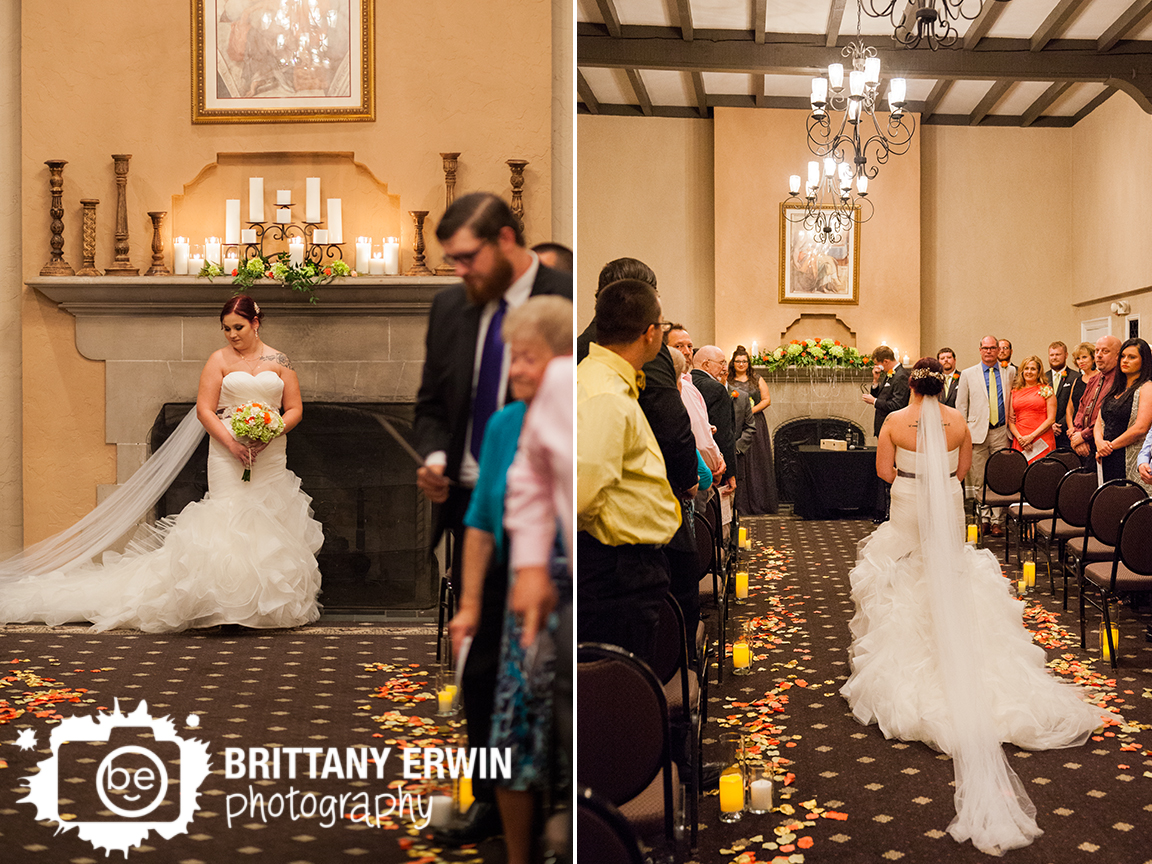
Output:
(999, 242)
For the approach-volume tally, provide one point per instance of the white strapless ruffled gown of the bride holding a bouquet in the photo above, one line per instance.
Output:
(244, 555)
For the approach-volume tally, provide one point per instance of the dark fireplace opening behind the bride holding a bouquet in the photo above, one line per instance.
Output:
(377, 526)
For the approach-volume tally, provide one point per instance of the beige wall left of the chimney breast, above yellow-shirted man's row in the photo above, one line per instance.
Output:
(646, 191)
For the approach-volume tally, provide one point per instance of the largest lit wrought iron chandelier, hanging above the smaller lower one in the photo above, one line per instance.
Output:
(859, 137)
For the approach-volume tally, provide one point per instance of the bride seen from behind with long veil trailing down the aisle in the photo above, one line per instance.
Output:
(939, 653)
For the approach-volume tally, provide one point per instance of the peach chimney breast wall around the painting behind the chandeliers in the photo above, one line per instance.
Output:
(756, 151)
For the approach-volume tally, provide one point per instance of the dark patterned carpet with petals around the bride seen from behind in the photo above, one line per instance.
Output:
(859, 798)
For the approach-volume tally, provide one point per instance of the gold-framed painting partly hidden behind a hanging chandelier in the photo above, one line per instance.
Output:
(813, 270)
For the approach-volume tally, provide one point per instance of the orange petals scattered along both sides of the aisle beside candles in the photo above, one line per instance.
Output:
(764, 738)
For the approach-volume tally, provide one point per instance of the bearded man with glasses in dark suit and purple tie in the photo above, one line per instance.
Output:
(464, 384)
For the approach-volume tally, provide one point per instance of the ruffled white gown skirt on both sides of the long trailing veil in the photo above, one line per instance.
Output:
(896, 680)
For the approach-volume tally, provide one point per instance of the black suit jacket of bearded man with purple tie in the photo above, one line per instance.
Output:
(444, 403)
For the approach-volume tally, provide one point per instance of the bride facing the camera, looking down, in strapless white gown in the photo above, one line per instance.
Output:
(245, 555)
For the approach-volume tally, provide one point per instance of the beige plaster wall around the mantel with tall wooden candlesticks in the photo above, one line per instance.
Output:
(451, 77)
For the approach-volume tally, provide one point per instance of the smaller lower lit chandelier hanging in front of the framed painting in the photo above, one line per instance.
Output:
(829, 208)
